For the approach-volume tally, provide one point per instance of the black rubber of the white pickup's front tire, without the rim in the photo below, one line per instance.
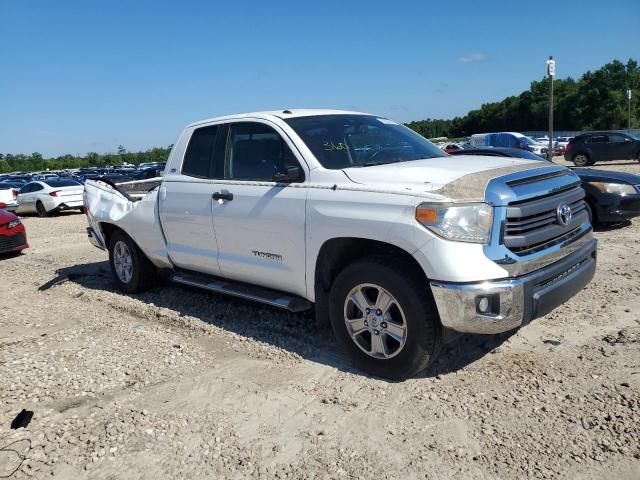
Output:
(423, 329)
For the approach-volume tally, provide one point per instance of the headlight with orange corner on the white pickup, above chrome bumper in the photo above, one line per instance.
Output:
(461, 223)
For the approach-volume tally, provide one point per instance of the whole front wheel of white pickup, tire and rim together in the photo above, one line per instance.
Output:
(383, 315)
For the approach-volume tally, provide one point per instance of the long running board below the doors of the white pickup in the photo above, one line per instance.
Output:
(243, 290)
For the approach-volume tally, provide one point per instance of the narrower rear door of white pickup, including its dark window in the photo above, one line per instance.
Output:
(185, 203)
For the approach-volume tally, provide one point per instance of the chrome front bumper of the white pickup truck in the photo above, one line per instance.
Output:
(514, 302)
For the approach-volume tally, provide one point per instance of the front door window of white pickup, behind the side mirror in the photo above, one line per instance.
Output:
(257, 152)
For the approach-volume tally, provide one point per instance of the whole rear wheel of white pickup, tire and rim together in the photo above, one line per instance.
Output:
(132, 270)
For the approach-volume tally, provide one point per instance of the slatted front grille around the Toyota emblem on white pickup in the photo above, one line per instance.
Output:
(533, 224)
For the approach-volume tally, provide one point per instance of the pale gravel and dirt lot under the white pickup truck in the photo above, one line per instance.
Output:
(176, 383)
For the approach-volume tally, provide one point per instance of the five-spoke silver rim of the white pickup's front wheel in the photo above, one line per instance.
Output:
(375, 321)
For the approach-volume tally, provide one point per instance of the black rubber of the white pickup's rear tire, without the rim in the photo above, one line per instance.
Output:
(143, 272)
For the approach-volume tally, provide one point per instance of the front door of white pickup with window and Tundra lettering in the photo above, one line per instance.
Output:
(259, 213)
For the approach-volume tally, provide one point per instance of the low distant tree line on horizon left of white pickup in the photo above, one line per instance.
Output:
(36, 162)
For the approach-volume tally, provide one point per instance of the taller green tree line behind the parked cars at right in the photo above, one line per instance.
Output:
(596, 101)
